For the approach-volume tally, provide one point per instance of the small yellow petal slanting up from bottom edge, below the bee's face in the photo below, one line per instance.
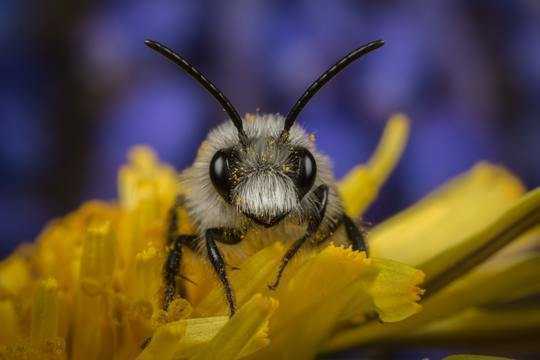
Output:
(241, 335)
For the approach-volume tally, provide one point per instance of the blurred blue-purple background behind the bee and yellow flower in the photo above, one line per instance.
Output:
(79, 88)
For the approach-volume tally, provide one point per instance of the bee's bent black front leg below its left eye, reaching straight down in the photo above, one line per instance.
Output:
(226, 236)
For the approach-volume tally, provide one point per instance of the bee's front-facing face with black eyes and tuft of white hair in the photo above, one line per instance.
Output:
(264, 180)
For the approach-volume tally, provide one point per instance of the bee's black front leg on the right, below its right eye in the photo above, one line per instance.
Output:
(321, 197)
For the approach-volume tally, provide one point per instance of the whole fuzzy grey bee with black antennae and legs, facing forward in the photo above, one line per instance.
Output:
(260, 173)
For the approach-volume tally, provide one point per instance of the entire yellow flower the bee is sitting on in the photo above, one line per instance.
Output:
(90, 287)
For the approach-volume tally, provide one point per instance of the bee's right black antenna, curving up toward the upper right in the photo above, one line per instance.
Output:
(325, 78)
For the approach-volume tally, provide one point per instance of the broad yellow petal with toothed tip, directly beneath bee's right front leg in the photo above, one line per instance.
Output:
(318, 293)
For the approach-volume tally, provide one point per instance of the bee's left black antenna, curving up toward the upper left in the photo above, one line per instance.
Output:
(203, 80)
